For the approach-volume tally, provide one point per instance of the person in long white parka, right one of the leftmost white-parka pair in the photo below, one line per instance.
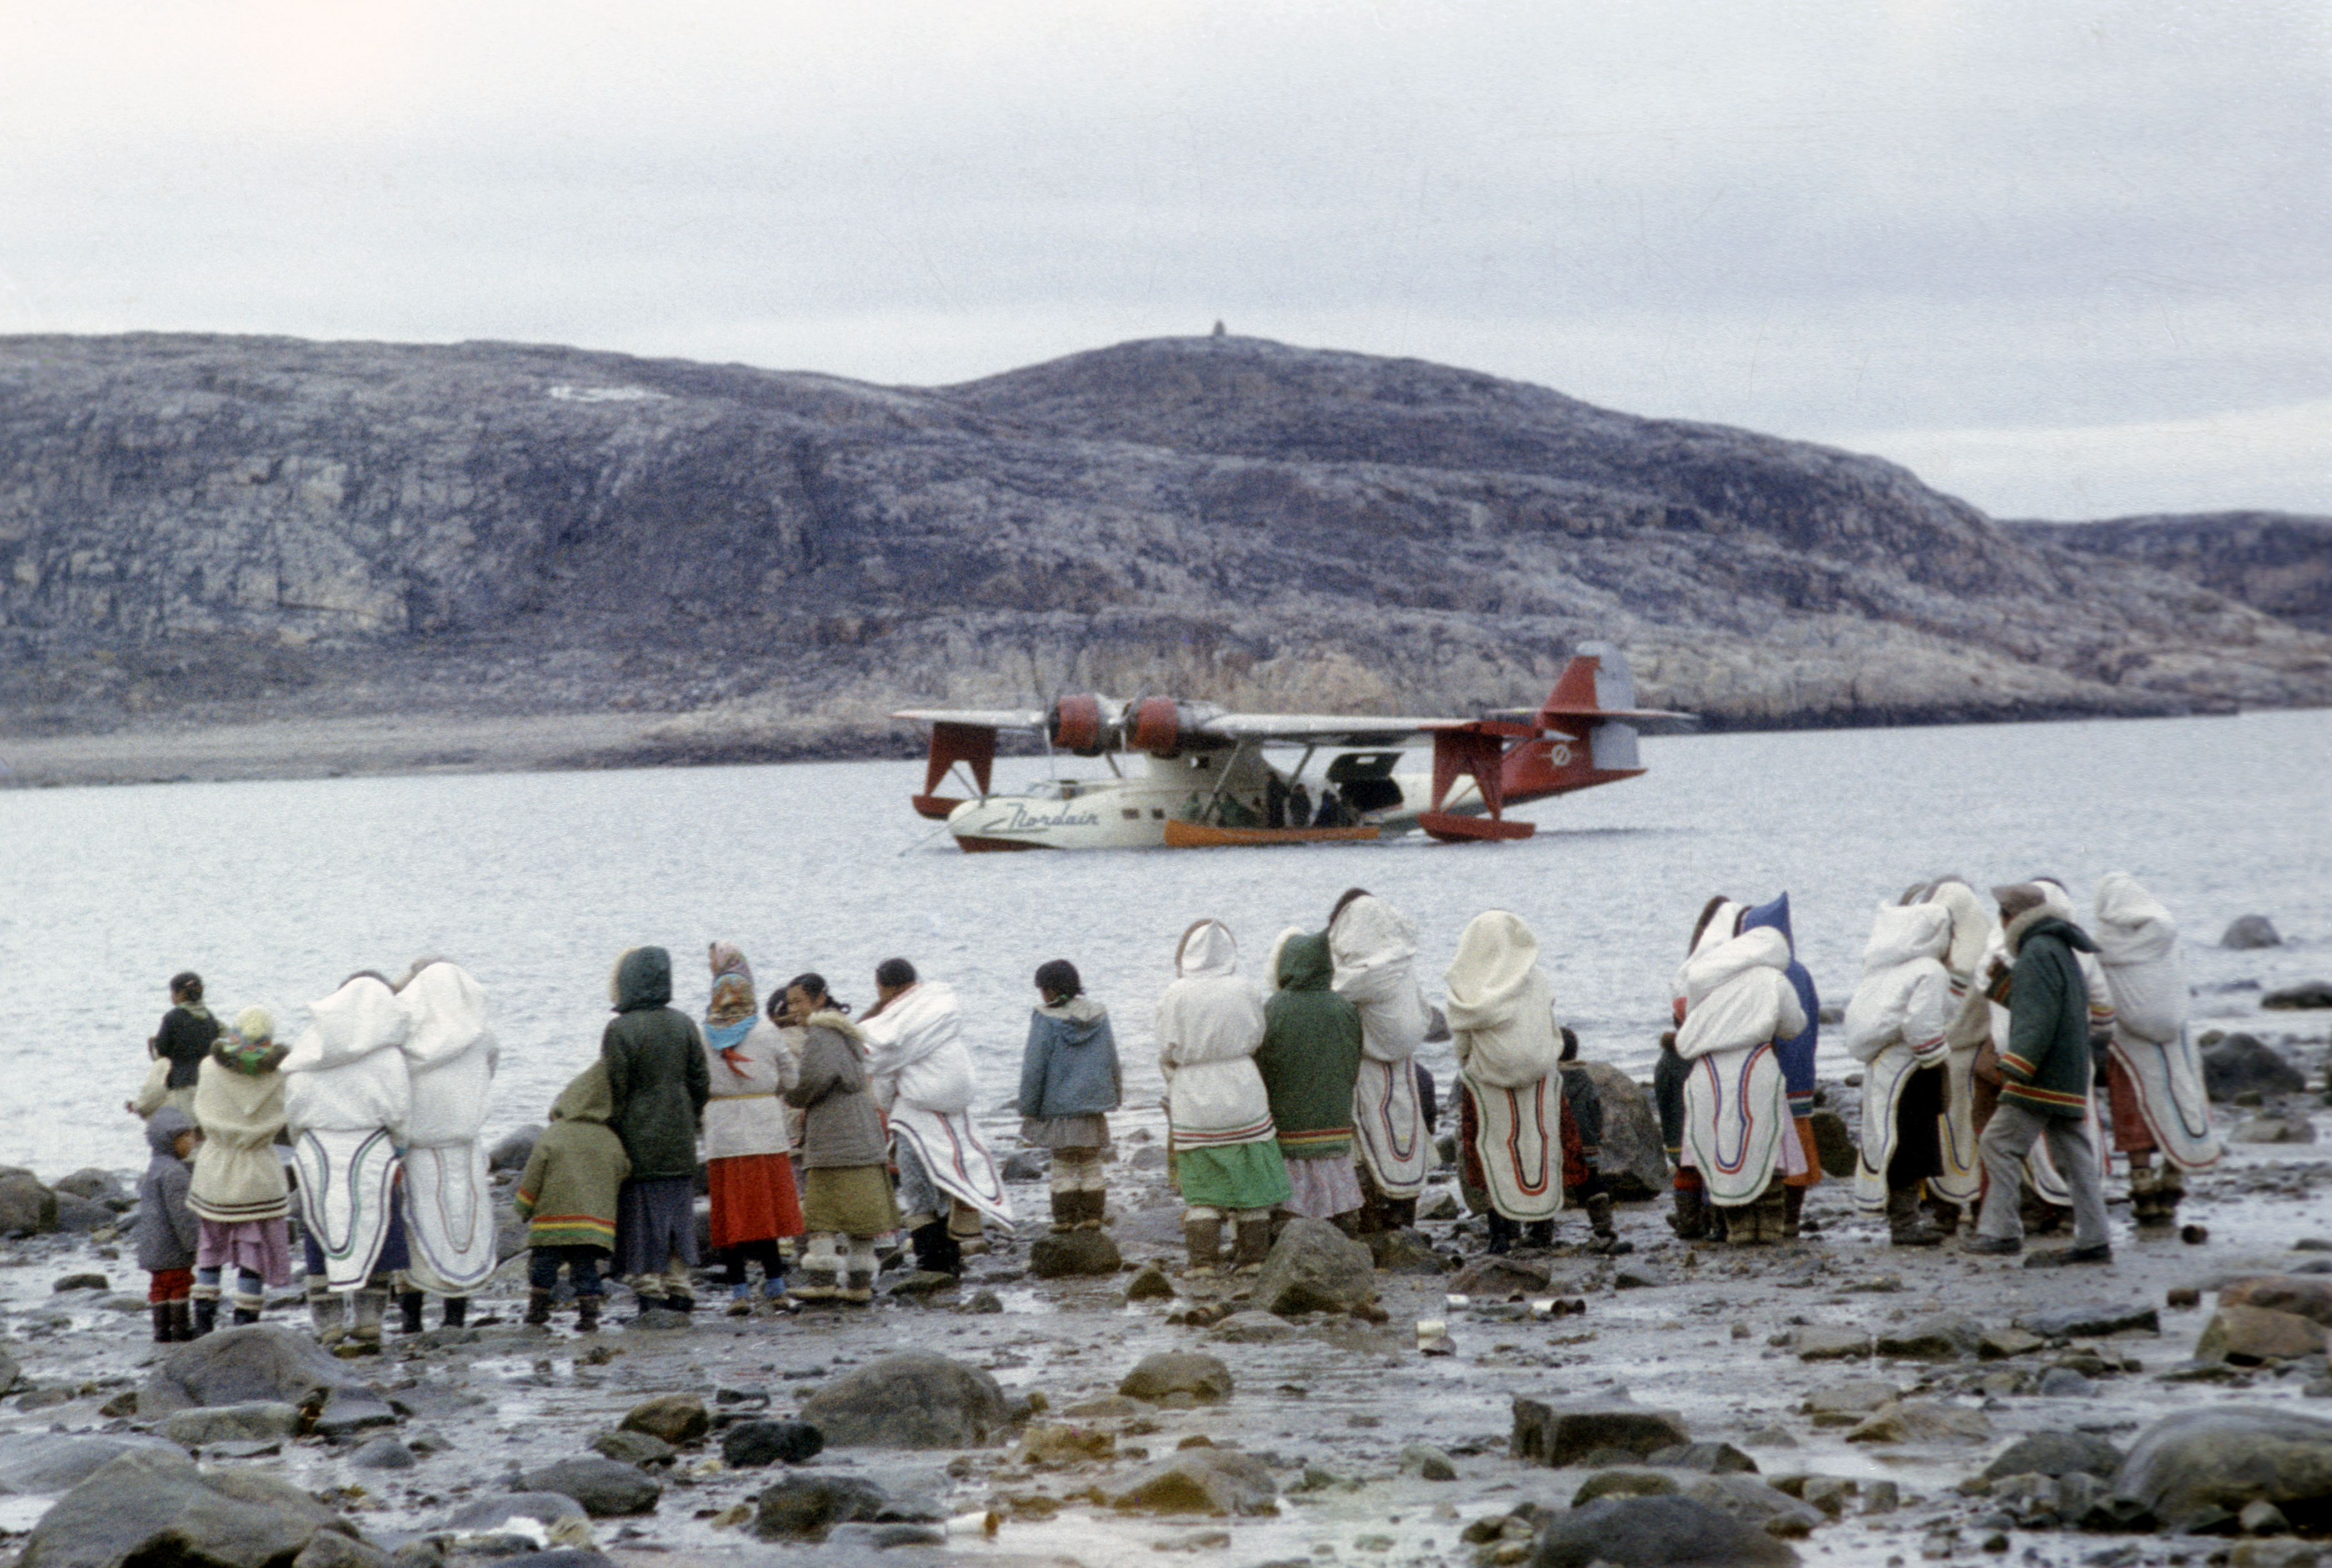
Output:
(449, 1200)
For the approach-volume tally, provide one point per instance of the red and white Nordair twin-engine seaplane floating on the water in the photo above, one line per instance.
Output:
(1190, 776)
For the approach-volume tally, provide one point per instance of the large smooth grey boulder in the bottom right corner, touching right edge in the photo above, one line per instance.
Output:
(2219, 1459)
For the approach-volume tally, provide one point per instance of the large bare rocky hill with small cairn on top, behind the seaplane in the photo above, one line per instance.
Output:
(216, 531)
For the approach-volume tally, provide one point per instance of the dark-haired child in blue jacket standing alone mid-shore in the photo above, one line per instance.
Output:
(1069, 1086)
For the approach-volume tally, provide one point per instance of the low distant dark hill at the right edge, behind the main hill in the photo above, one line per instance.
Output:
(2273, 561)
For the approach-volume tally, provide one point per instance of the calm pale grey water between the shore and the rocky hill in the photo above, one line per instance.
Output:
(538, 883)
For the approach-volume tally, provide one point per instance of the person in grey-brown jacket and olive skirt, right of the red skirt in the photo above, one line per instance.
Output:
(845, 1191)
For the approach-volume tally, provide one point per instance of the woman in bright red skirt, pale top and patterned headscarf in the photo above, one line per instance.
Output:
(747, 1165)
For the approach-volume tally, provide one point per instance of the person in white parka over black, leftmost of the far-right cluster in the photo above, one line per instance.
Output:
(1897, 1030)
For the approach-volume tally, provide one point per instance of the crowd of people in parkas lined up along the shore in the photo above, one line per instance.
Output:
(1983, 1030)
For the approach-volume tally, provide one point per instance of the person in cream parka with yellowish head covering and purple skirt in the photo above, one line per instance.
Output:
(239, 1186)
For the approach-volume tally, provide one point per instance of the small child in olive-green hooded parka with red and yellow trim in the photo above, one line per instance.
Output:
(570, 1191)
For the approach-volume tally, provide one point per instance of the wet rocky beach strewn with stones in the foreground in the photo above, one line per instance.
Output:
(1829, 1399)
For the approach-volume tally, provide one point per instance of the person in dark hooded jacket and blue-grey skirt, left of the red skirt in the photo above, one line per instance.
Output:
(659, 1088)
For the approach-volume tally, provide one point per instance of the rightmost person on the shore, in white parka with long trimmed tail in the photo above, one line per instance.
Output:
(2154, 1074)
